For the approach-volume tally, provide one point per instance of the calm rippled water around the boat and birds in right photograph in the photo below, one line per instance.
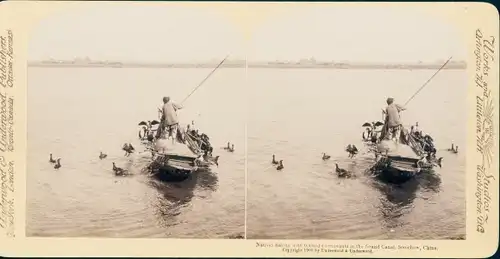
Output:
(299, 114)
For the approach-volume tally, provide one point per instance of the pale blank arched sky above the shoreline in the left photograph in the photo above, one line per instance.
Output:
(136, 33)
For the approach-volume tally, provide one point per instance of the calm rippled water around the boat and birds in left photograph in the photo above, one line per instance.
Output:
(75, 113)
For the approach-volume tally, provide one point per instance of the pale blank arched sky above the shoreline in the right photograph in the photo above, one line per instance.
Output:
(368, 34)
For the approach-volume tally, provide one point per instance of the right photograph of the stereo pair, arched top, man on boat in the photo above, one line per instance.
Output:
(356, 125)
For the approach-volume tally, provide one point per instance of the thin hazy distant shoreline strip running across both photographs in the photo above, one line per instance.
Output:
(256, 65)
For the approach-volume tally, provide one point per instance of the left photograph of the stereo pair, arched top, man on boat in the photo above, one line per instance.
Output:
(134, 123)
